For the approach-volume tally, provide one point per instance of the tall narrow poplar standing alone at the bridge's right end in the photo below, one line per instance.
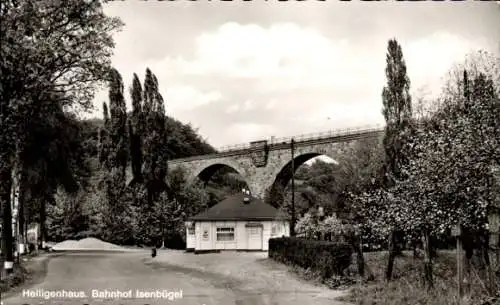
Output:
(397, 111)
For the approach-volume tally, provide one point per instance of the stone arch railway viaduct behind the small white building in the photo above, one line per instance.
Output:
(264, 164)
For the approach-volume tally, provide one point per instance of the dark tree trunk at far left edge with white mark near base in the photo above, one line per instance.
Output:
(5, 193)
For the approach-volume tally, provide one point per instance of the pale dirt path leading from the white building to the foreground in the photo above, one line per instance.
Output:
(251, 277)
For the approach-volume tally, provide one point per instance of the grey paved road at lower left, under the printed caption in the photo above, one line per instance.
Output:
(86, 275)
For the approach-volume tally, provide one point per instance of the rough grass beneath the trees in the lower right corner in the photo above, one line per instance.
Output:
(407, 287)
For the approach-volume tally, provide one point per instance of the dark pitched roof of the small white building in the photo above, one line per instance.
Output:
(234, 208)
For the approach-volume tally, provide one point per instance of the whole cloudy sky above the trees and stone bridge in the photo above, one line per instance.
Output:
(242, 71)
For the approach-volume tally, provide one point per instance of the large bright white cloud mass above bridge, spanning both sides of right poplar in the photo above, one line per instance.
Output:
(290, 78)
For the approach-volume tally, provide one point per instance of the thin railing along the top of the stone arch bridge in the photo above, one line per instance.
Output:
(308, 136)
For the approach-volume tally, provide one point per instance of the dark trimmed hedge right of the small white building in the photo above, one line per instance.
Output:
(329, 258)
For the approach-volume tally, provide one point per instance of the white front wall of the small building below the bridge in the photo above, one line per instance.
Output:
(240, 241)
